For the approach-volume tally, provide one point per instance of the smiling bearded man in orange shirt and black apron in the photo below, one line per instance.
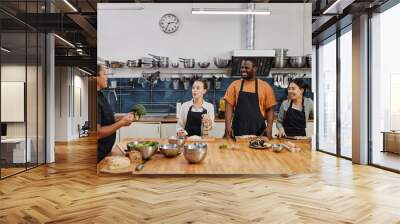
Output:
(252, 101)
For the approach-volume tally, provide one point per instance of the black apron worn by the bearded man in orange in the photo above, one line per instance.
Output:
(248, 119)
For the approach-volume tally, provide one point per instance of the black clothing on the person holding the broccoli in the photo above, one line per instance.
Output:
(105, 116)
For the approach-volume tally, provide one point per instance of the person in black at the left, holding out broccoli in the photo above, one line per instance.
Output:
(107, 123)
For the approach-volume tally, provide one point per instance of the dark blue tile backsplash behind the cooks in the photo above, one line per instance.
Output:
(162, 97)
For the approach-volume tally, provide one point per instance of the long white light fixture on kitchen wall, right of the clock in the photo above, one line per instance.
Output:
(215, 11)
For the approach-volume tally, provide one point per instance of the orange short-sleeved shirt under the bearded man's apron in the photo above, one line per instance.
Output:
(266, 96)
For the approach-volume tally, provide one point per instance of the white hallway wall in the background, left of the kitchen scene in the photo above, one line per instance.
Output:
(68, 83)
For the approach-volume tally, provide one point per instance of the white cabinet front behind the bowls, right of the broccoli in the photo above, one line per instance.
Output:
(141, 130)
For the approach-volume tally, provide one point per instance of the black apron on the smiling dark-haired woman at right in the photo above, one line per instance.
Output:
(295, 121)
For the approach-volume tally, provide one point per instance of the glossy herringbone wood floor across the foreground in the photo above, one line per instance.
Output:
(70, 192)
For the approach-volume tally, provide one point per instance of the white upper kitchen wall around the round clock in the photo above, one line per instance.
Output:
(128, 34)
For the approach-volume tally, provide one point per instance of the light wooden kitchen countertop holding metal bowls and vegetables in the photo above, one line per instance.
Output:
(220, 161)
